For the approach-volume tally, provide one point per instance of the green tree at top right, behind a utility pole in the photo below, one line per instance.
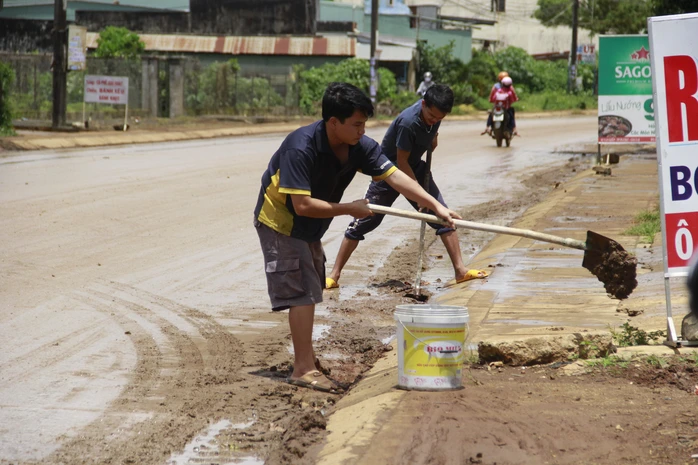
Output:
(598, 16)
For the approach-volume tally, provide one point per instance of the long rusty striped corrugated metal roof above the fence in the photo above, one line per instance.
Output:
(244, 45)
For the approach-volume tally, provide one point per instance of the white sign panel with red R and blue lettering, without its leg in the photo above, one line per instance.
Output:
(674, 58)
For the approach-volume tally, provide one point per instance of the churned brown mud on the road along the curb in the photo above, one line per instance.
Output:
(184, 381)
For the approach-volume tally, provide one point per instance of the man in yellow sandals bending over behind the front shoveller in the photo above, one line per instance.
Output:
(409, 136)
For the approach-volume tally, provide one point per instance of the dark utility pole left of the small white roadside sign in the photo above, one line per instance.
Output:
(60, 34)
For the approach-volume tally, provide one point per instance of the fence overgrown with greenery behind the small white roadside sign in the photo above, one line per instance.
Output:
(214, 89)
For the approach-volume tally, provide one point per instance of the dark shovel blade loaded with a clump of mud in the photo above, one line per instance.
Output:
(611, 264)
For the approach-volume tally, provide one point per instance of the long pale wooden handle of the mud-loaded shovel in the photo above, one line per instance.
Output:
(566, 242)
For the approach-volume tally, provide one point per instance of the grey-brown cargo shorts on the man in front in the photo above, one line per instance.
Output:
(295, 269)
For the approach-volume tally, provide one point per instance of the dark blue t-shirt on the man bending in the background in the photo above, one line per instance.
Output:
(408, 132)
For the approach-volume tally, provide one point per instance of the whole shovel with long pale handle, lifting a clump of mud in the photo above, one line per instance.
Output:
(604, 257)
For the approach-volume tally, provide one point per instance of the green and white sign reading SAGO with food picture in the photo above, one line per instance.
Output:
(626, 112)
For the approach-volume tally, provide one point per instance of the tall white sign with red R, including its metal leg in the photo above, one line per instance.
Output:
(667, 43)
